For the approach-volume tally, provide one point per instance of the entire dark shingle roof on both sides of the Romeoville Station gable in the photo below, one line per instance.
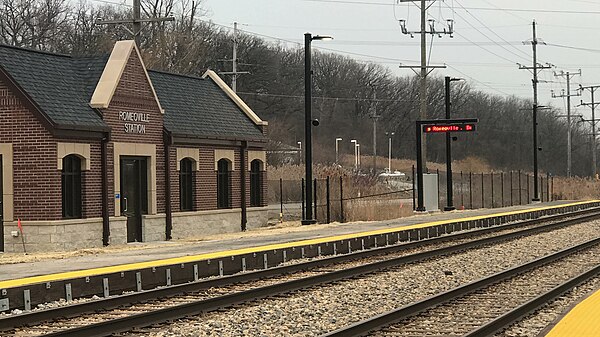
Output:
(61, 86)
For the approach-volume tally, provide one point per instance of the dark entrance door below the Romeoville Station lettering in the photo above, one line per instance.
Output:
(134, 195)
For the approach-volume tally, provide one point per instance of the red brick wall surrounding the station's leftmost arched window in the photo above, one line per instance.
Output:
(36, 178)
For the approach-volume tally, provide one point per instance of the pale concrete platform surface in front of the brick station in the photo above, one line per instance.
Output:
(151, 253)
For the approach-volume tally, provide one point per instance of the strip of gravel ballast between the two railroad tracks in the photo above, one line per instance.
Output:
(322, 309)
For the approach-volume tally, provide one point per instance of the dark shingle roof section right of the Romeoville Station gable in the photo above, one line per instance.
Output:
(198, 108)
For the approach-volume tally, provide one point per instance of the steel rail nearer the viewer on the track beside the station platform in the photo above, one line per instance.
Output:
(193, 308)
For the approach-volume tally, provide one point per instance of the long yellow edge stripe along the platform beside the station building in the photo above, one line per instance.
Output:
(221, 254)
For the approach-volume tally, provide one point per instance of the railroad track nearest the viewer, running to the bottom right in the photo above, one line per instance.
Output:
(489, 305)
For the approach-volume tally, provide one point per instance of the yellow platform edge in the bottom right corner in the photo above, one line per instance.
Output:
(580, 321)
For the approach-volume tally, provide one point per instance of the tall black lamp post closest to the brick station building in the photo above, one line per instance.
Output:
(308, 123)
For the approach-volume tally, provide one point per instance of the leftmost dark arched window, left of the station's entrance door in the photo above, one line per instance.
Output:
(71, 187)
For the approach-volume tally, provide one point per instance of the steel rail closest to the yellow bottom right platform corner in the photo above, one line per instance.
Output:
(516, 314)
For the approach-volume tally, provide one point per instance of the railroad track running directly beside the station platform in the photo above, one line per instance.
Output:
(218, 293)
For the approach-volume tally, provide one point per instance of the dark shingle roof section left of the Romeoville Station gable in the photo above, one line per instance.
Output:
(54, 83)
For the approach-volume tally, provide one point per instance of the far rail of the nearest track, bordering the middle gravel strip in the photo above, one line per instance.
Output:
(380, 321)
